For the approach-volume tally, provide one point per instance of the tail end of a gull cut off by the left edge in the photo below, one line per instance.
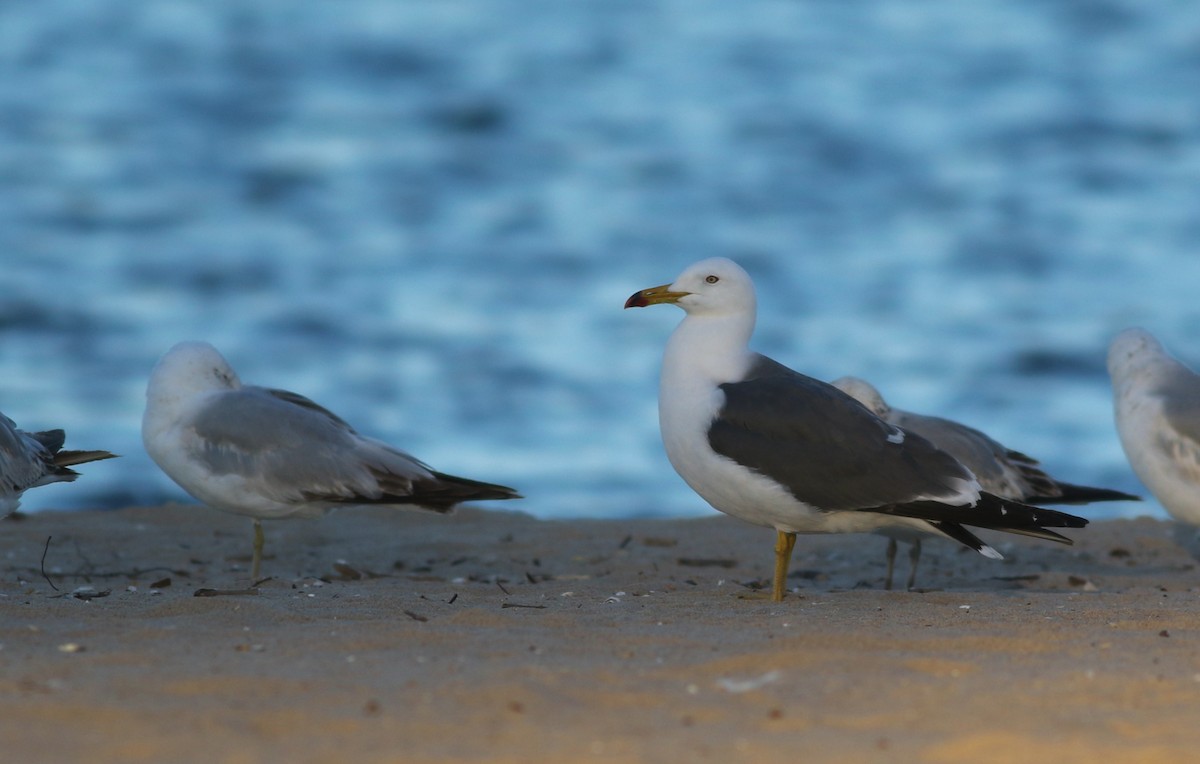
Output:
(33, 460)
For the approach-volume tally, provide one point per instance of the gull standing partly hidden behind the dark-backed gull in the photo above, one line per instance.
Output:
(1000, 471)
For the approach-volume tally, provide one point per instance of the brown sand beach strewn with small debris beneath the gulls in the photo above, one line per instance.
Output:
(491, 636)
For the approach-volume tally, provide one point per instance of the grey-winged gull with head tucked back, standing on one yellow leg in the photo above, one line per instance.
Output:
(272, 454)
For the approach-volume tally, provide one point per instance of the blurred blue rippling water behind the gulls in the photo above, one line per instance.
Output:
(428, 215)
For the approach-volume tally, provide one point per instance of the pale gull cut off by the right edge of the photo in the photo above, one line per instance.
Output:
(1156, 400)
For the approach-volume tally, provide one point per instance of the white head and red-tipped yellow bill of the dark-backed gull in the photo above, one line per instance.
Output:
(712, 287)
